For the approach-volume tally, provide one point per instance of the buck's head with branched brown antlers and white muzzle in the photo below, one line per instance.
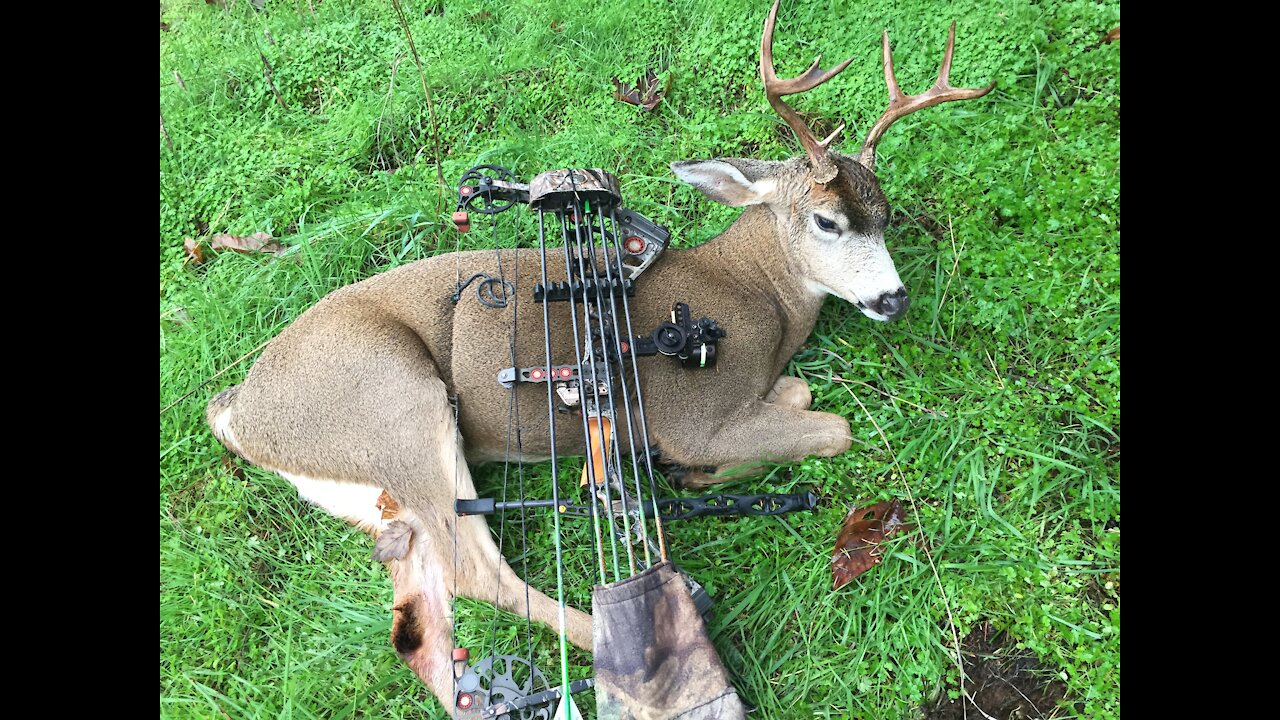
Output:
(830, 209)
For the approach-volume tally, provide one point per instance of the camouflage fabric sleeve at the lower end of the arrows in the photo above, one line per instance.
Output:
(653, 659)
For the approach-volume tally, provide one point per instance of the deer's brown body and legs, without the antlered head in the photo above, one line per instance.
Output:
(353, 402)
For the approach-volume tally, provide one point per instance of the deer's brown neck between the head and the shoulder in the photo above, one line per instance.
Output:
(755, 253)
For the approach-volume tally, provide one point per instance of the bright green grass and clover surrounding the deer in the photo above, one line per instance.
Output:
(999, 395)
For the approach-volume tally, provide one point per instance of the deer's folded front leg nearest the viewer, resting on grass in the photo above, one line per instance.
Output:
(764, 432)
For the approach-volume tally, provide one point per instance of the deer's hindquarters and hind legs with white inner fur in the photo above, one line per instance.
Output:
(348, 426)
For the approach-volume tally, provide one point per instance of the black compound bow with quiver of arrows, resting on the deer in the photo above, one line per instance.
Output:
(606, 248)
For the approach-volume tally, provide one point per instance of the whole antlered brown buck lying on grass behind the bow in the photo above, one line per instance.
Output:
(351, 403)
